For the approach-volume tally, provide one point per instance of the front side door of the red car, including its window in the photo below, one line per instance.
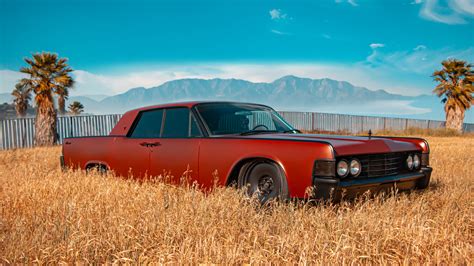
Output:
(177, 153)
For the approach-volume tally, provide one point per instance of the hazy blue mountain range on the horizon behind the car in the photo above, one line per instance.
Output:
(286, 93)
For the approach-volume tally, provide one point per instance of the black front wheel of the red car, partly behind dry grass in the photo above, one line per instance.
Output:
(263, 180)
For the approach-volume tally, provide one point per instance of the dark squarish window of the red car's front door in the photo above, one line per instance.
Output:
(176, 123)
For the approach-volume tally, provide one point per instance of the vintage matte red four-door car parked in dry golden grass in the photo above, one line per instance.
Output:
(249, 145)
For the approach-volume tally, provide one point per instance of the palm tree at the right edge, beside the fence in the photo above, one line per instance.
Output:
(456, 86)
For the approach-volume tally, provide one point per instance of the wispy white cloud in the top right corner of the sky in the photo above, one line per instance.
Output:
(448, 11)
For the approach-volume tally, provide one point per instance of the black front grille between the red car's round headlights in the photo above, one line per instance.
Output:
(385, 164)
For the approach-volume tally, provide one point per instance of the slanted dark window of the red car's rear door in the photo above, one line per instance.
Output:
(148, 125)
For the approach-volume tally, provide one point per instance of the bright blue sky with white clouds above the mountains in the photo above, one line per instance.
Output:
(115, 45)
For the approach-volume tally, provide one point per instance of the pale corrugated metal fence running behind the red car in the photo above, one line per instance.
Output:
(19, 133)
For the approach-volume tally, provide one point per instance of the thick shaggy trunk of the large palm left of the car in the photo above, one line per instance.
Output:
(45, 126)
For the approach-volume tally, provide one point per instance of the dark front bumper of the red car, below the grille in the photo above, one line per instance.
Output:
(335, 189)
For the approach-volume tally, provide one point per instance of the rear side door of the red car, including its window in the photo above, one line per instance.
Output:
(131, 154)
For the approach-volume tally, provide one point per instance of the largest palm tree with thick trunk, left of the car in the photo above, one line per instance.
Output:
(47, 74)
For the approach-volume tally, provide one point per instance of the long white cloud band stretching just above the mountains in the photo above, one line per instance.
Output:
(406, 72)
